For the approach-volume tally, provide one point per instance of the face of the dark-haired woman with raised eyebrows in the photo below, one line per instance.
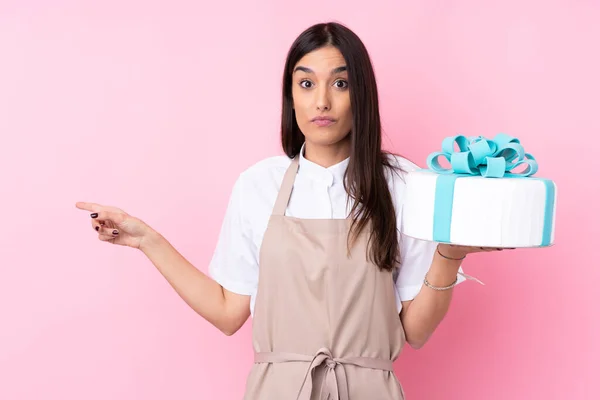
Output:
(321, 97)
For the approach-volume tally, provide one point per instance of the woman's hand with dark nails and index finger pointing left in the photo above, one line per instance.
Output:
(115, 225)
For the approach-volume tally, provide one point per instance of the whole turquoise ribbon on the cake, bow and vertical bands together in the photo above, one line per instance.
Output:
(478, 156)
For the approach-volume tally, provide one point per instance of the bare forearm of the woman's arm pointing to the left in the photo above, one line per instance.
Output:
(199, 291)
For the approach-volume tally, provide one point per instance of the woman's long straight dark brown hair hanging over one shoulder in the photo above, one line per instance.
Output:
(364, 179)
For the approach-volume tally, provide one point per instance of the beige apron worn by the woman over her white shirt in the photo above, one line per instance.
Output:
(325, 326)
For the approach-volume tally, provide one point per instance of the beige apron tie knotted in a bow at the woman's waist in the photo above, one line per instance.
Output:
(335, 383)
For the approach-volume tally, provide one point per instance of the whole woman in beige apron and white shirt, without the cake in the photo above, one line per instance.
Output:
(338, 291)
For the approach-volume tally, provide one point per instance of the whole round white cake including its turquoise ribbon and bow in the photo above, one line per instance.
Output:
(479, 200)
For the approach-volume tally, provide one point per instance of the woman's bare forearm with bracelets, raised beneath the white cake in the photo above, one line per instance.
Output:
(430, 306)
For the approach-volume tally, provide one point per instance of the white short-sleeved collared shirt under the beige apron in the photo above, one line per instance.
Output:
(318, 194)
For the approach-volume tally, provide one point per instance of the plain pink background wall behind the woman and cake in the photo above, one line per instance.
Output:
(155, 107)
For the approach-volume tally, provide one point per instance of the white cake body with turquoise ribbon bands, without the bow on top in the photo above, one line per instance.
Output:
(473, 210)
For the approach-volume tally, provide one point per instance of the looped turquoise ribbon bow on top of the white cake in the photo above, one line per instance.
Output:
(486, 157)
